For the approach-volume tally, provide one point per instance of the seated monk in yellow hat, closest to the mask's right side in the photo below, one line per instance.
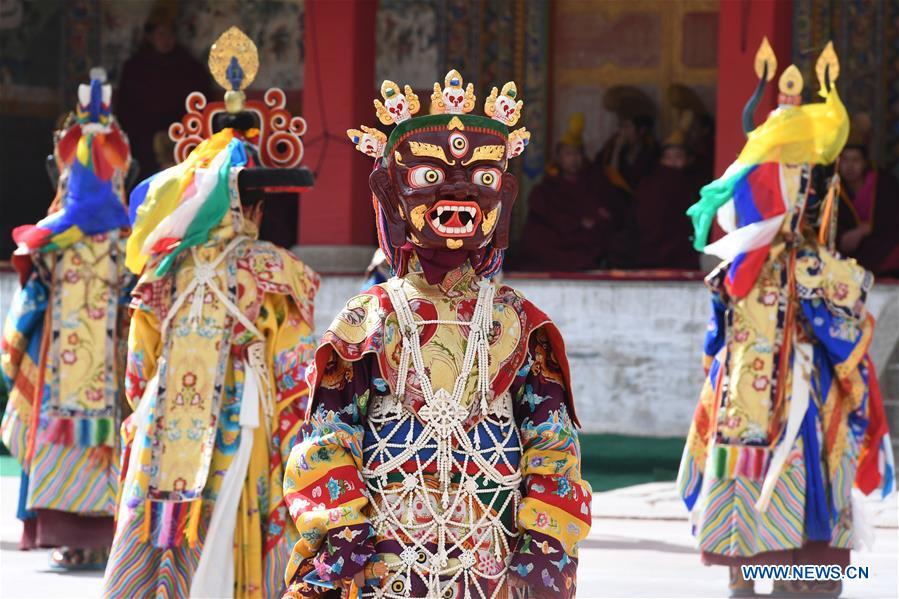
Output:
(566, 224)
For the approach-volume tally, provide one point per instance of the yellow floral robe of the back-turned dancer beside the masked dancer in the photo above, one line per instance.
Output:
(160, 534)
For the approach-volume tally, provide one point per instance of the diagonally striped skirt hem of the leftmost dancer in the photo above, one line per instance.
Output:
(73, 479)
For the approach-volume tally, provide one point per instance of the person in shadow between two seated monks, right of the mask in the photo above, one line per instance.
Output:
(617, 169)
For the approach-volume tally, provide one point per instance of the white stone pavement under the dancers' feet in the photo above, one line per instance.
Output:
(640, 546)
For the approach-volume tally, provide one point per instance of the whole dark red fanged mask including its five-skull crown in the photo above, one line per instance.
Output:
(440, 181)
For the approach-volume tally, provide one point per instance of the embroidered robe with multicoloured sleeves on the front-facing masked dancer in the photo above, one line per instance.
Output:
(363, 484)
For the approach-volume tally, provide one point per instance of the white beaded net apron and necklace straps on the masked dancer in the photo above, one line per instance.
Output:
(444, 415)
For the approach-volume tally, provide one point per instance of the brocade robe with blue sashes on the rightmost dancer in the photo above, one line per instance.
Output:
(759, 387)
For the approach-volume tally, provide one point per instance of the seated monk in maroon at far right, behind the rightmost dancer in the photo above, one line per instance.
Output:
(868, 217)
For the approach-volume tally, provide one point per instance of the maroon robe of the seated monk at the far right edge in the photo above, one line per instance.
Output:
(878, 251)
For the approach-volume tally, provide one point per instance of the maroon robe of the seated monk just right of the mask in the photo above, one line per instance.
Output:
(554, 237)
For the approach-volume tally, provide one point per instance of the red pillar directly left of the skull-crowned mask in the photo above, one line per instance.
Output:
(337, 95)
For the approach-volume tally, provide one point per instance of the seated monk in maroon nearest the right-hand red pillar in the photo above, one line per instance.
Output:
(661, 203)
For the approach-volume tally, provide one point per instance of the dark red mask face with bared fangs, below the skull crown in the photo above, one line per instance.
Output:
(447, 189)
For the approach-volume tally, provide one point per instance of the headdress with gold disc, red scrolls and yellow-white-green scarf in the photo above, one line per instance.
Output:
(179, 207)
